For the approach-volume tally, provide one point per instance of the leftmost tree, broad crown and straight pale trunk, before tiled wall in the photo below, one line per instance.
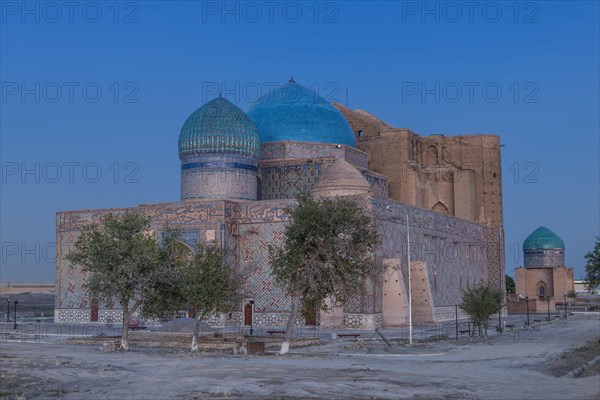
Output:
(121, 259)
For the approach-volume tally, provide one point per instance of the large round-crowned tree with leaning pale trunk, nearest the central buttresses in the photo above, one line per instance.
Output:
(328, 252)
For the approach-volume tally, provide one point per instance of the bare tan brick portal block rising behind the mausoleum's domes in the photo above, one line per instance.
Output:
(413, 164)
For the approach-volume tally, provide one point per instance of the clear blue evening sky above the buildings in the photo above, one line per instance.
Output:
(93, 97)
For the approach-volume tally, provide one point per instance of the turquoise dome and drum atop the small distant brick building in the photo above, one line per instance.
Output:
(543, 249)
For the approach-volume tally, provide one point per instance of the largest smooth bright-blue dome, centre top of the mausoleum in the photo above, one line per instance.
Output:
(295, 113)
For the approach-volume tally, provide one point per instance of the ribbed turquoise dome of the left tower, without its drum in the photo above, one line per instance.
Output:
(219, 127)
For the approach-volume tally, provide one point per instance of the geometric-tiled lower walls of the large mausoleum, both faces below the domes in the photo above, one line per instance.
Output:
(457, 252)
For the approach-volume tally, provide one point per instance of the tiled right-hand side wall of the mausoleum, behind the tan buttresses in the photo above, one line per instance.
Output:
(454, 250)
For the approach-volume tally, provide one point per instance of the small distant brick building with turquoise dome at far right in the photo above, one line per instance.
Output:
(544, 280)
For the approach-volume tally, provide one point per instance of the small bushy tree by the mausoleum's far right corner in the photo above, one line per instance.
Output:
(480, 302)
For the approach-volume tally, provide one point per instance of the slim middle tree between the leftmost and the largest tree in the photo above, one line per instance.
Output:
(207, 286)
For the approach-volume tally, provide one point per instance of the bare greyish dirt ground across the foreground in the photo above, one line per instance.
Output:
(529, 365)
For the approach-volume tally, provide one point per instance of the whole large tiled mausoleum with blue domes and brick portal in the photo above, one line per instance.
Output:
(240, 171)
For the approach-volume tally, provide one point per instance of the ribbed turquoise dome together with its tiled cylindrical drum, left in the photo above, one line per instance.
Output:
(219, 148)
